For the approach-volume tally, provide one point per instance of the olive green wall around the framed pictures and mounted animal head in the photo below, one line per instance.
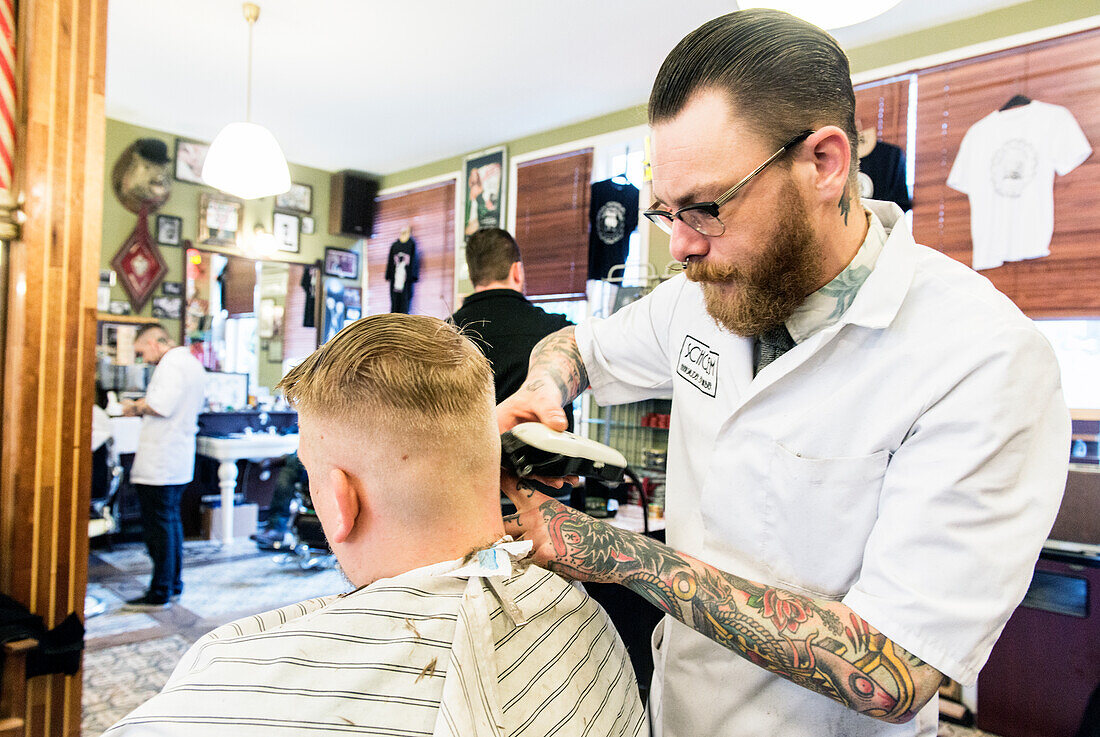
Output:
(184, 203)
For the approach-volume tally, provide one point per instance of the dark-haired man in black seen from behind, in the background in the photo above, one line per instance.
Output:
(500, 321)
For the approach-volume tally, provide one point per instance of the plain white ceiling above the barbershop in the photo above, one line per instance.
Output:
(387, 86)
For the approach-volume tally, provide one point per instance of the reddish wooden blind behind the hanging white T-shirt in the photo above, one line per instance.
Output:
(953, 98)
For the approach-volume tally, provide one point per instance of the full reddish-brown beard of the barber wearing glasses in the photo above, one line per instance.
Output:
(747, 301)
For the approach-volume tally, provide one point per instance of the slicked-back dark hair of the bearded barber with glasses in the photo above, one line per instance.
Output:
(782, 74)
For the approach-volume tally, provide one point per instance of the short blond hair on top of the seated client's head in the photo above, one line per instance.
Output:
(410, 376)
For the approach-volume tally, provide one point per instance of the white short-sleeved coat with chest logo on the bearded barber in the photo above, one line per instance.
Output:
(908, 460)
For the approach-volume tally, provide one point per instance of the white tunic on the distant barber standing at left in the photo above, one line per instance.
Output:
(167, 446)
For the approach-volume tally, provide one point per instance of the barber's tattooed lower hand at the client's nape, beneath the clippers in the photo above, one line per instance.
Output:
(564, 537)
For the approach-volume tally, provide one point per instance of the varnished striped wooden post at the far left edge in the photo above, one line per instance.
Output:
(50, 340)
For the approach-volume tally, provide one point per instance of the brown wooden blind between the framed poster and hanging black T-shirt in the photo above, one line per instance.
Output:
(553, 224)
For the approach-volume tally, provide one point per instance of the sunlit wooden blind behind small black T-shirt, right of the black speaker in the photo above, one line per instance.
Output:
(430, 213)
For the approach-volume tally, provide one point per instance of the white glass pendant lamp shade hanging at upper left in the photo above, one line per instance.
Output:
(246, 161)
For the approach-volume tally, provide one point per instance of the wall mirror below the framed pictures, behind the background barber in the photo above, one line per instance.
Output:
(249, 316)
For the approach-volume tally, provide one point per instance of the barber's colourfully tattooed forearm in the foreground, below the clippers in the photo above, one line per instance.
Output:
(819, 644)
